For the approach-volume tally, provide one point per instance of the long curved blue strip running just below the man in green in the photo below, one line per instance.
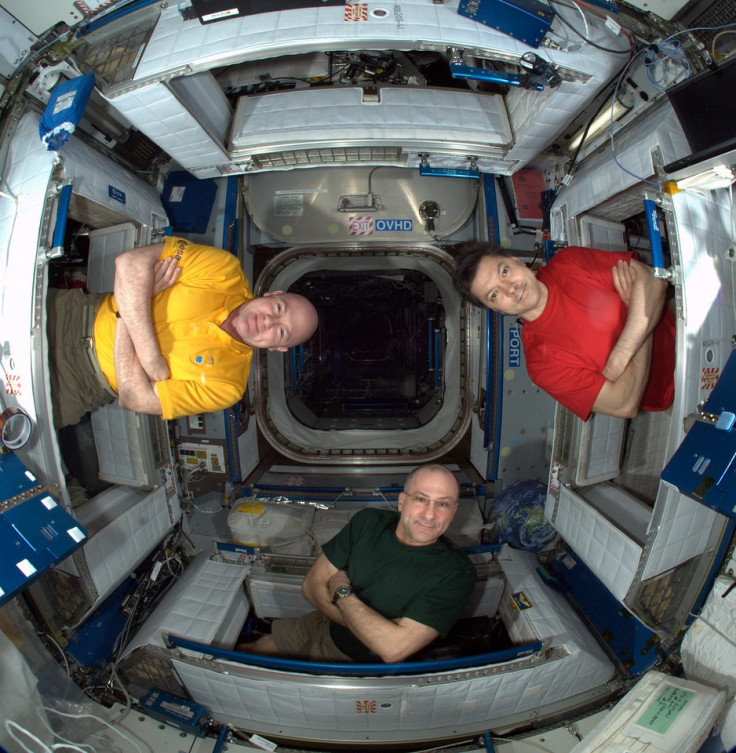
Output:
(352, 669)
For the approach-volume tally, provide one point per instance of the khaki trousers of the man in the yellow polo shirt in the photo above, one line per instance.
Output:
(76, 388)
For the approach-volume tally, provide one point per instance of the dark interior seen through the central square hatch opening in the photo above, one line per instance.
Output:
(377, 355)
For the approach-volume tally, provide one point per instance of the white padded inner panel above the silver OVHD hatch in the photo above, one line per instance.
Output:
(339, 114)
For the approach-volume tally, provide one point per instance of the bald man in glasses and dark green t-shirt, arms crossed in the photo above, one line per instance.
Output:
(386, 586)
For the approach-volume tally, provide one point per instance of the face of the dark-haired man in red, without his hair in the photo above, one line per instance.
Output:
(506, 285)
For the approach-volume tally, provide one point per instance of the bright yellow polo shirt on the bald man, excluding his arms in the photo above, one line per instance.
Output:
(209, 370)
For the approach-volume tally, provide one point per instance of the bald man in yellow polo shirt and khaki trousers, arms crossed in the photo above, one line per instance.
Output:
(175, 338)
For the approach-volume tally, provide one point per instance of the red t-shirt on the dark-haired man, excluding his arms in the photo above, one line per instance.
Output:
(567, 347)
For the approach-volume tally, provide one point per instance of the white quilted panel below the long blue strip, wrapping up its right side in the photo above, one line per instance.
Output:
(316, 709)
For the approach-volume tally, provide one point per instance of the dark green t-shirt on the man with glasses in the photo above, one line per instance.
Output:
(428, 584)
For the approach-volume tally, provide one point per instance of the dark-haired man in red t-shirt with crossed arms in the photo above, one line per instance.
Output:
(596, 333)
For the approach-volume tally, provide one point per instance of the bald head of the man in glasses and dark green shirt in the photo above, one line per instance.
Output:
(427, 506)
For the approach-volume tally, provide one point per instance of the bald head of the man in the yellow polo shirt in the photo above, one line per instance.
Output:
(276, 321)
